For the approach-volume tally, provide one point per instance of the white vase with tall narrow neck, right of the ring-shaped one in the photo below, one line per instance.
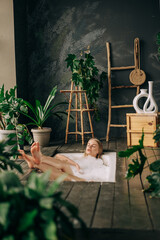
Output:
(150, 105)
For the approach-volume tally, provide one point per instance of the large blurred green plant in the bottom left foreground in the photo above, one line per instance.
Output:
(36, 210)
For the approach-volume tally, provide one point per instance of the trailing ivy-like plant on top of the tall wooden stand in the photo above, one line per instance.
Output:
(86, 75)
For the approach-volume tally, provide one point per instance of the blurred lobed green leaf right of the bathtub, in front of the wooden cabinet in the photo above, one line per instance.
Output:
(137, 165)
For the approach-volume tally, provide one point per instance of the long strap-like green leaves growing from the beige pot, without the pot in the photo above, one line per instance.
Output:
(42, 113)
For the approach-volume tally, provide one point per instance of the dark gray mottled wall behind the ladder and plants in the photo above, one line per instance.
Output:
(56, 28)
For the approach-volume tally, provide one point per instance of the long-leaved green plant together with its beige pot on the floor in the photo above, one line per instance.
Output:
(40, 115)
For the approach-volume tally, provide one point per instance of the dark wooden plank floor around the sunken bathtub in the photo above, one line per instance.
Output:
(112, 211)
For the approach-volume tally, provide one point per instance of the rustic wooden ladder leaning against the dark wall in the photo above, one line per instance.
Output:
(110, 87)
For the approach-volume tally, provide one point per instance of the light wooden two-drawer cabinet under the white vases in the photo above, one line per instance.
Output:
(136, 122)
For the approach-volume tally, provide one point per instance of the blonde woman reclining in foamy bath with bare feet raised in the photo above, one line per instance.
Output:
(88, 168)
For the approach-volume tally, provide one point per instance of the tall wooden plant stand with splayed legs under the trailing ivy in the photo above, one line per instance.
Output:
(78, 109)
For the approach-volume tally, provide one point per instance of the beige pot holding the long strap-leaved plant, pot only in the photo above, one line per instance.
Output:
(42, 136)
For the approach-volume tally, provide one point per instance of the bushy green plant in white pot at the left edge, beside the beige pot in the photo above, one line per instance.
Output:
(10, 108)
